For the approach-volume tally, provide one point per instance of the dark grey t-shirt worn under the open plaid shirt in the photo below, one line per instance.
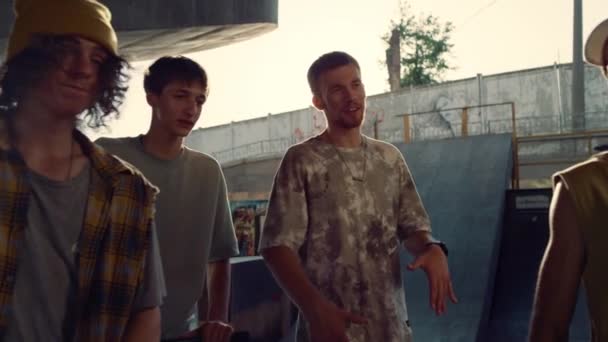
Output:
(44, 298)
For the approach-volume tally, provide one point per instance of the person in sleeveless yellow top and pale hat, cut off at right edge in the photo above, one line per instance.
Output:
(578, 243)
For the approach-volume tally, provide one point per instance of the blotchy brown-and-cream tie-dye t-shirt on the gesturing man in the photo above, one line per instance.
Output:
(345, 212)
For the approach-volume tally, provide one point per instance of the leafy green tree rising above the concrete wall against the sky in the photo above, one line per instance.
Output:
(418, 49)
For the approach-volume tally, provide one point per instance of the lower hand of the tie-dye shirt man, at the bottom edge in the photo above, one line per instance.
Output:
(328, 323)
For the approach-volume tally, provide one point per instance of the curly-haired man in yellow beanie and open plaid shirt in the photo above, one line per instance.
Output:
(78, 254)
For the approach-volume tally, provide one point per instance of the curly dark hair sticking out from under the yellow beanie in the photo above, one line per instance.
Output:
(43, 54)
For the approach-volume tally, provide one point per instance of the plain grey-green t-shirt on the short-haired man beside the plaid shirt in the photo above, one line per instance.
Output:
(193, 221)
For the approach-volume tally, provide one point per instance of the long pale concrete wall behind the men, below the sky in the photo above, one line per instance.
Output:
(541, 97)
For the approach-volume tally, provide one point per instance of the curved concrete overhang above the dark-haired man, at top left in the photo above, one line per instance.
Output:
(148, 29)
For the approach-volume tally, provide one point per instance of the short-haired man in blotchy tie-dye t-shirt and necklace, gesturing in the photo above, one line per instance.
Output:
(340, 206)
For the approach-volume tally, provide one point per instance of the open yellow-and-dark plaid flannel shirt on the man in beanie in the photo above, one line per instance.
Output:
(112, 245)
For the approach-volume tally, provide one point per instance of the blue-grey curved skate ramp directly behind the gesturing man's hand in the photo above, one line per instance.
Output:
(462, 183)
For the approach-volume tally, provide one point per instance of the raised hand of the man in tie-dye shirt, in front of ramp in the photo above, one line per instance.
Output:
(435, 264)
